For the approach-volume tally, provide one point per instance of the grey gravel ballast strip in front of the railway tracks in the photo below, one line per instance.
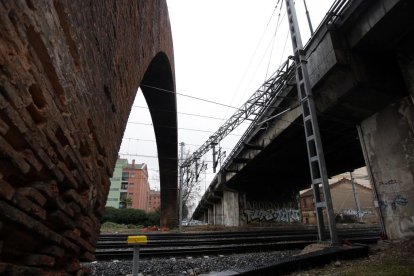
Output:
(190, 265)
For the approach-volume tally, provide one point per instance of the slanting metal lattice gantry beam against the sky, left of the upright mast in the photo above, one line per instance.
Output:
(253, 107)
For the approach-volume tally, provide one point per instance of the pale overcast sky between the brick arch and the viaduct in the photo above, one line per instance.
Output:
(224, 50)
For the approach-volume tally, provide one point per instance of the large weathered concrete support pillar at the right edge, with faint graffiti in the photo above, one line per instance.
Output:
(388, 137)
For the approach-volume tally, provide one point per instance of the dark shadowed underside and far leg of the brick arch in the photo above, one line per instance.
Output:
(157, 86)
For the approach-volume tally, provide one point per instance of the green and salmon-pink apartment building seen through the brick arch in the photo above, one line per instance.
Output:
(129, 186)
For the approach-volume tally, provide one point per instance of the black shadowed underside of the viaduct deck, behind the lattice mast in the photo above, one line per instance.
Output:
(281, 169)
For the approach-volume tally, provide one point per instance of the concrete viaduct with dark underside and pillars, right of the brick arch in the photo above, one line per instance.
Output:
(361, 67)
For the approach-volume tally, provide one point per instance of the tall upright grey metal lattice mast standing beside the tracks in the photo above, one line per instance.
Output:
(313, 139)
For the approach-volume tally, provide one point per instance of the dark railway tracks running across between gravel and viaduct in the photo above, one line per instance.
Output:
(213, 243)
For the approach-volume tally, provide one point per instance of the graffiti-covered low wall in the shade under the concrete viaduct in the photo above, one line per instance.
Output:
(269, 212)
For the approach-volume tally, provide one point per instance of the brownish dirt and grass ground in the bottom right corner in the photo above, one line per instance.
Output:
(394, 258)
